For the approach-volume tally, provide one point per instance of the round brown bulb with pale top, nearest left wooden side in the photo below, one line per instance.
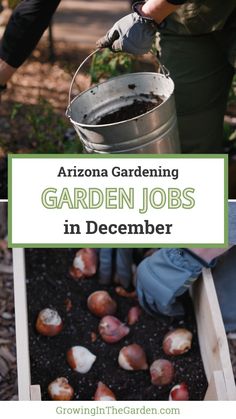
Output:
(48, 322)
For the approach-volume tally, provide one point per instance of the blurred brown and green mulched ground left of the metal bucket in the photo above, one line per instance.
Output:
(32, 111)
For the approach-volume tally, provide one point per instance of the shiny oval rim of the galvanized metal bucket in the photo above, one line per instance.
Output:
(147, 73)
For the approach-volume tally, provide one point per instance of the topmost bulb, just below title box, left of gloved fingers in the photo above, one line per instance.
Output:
(84, 263)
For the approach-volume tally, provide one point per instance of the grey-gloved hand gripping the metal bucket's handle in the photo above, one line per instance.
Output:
(133, 34)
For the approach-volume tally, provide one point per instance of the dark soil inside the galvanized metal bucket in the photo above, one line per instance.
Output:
(137, 108)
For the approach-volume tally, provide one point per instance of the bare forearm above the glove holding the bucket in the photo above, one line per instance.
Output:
(158, 10)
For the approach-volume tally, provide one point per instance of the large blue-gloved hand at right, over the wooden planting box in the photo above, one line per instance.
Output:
(165, 275)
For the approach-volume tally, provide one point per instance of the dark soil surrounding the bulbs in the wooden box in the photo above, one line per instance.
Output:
(50, 285)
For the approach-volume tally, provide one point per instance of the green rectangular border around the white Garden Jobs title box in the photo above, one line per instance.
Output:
(116, 156)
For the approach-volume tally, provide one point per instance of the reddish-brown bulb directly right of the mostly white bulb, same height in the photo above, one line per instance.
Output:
(132, 357)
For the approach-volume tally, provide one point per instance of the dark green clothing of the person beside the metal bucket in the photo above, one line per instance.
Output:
(198, 46)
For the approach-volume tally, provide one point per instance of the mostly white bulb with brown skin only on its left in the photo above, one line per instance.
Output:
(80, 359)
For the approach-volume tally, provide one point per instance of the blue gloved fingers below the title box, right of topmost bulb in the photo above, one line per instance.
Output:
(115, 263)
